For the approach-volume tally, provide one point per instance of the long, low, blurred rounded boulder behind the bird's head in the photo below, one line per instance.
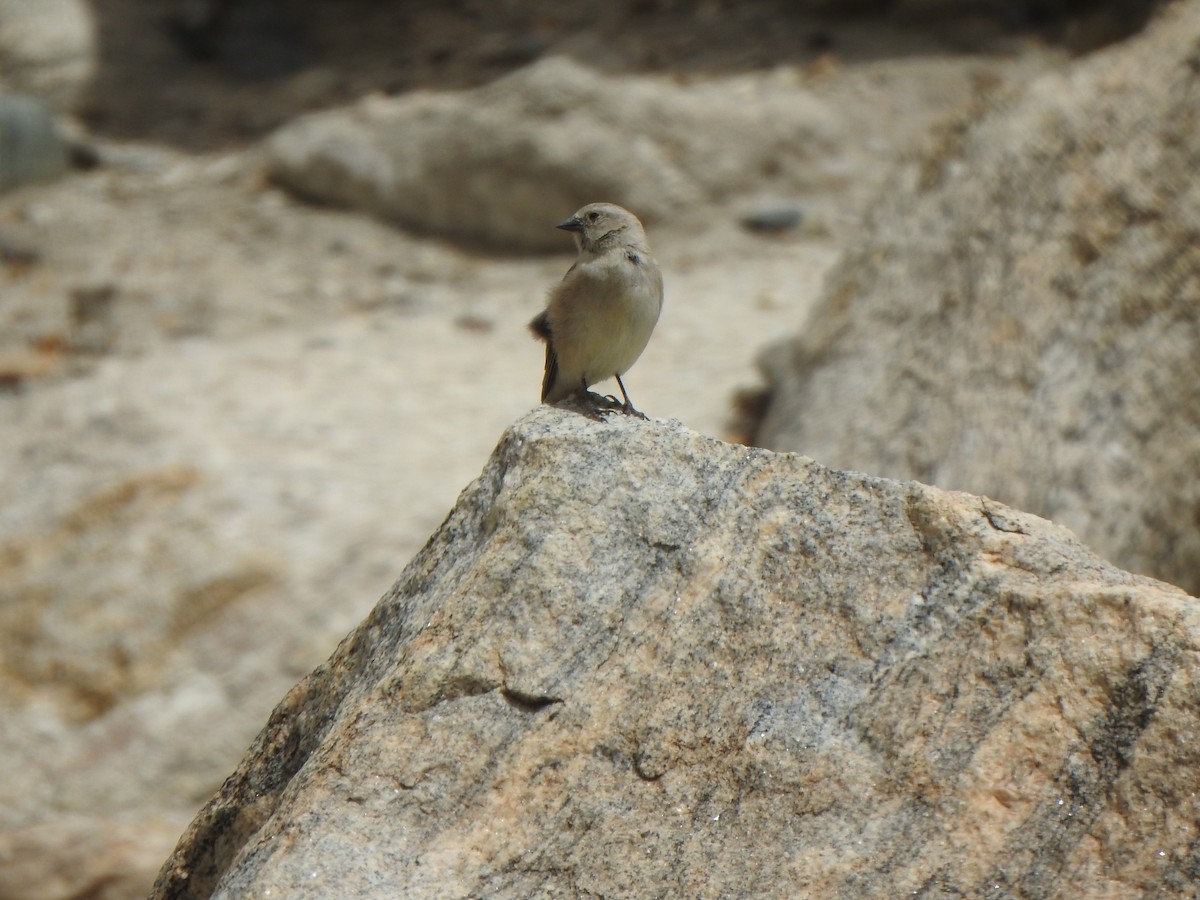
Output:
(497, 164)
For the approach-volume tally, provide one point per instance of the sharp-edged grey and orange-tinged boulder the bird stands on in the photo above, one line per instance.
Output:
(640, 663)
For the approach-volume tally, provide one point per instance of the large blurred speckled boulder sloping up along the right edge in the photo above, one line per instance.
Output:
(1022, 320)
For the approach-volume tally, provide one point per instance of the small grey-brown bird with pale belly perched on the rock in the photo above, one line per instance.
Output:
(601, 316)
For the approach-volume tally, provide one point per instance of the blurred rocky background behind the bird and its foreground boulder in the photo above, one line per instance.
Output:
(263, 291)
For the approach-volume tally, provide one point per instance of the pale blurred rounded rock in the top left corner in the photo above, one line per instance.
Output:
(47, 49)
